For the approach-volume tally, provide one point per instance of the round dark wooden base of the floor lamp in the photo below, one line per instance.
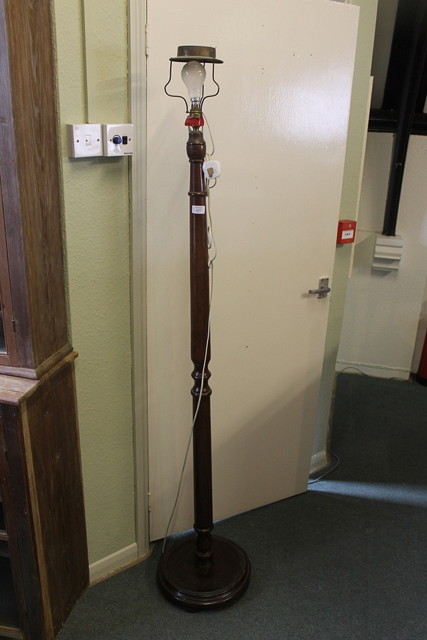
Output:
(197, 588)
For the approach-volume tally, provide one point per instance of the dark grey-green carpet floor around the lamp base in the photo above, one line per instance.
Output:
(345, 561)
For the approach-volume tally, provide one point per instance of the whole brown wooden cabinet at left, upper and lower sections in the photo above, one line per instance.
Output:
(43, 551)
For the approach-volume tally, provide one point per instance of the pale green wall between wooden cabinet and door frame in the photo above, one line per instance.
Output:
(96, 212)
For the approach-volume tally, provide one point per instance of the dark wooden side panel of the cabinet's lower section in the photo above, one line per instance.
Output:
(54, 469)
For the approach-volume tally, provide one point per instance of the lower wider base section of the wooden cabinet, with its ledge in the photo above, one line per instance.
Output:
(43, 553)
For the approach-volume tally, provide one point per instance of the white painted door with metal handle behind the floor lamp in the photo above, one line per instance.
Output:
(279, 126)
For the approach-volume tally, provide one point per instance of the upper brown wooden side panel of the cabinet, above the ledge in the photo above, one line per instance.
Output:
(28, 146)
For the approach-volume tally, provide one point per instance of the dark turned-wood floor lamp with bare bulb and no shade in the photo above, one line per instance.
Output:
(200, 571)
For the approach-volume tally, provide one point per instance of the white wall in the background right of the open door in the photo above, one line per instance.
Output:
(382, 309)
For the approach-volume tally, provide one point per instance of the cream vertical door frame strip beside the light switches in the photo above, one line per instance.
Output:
(137, 18)
